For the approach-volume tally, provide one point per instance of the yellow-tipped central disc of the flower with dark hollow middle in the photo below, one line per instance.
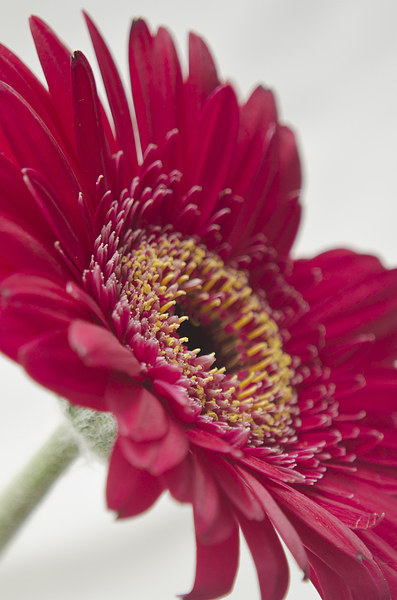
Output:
(203, 317)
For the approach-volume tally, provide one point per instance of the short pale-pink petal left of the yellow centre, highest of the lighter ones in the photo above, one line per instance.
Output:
(98, 347)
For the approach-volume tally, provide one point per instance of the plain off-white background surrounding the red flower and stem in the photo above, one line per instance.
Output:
(333, 64)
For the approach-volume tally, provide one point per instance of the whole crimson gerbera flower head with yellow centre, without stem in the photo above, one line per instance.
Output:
(145, 271)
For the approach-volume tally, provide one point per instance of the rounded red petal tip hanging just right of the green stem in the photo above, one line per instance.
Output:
(129, 491)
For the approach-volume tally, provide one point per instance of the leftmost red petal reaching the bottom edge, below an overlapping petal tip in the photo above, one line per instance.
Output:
(216, 568)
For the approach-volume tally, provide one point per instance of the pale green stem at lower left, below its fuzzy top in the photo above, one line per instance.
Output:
(24, 493)
